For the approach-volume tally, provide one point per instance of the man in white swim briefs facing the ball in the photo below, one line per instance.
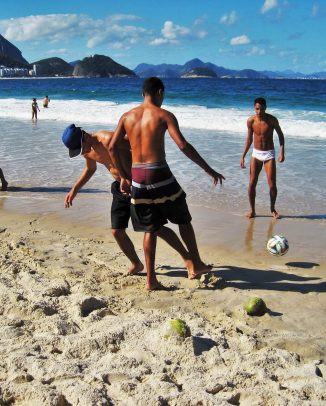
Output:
(260, 130)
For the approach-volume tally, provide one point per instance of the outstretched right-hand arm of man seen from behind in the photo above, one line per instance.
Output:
(189, 150)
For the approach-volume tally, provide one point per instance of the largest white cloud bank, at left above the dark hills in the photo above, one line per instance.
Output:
(65, 27)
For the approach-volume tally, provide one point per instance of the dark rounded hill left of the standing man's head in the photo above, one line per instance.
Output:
(100, 66)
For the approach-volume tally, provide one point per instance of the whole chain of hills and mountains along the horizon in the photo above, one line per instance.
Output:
(13, 64)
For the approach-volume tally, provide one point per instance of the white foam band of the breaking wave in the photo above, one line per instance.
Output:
(299, 123)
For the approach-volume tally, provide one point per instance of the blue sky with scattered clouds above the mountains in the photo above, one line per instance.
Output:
(236, 34)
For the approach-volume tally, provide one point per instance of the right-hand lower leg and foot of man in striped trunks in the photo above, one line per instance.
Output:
(188, 236)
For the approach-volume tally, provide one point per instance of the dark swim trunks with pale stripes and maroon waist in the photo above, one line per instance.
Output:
(156, 198)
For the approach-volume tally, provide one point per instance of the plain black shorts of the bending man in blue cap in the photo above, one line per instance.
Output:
(120, 208)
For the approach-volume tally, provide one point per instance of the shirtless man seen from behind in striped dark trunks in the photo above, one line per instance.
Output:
(156, 196)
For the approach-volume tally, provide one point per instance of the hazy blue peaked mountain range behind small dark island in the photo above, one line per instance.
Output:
(175, 71)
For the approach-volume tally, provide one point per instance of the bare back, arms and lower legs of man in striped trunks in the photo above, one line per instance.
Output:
(145, 127)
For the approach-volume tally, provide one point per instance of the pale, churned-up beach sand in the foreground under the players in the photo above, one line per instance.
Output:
(76, 330)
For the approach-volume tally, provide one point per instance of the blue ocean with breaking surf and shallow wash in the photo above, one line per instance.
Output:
(212, 114)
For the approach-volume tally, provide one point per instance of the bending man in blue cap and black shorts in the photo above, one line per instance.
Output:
(94, 148)
